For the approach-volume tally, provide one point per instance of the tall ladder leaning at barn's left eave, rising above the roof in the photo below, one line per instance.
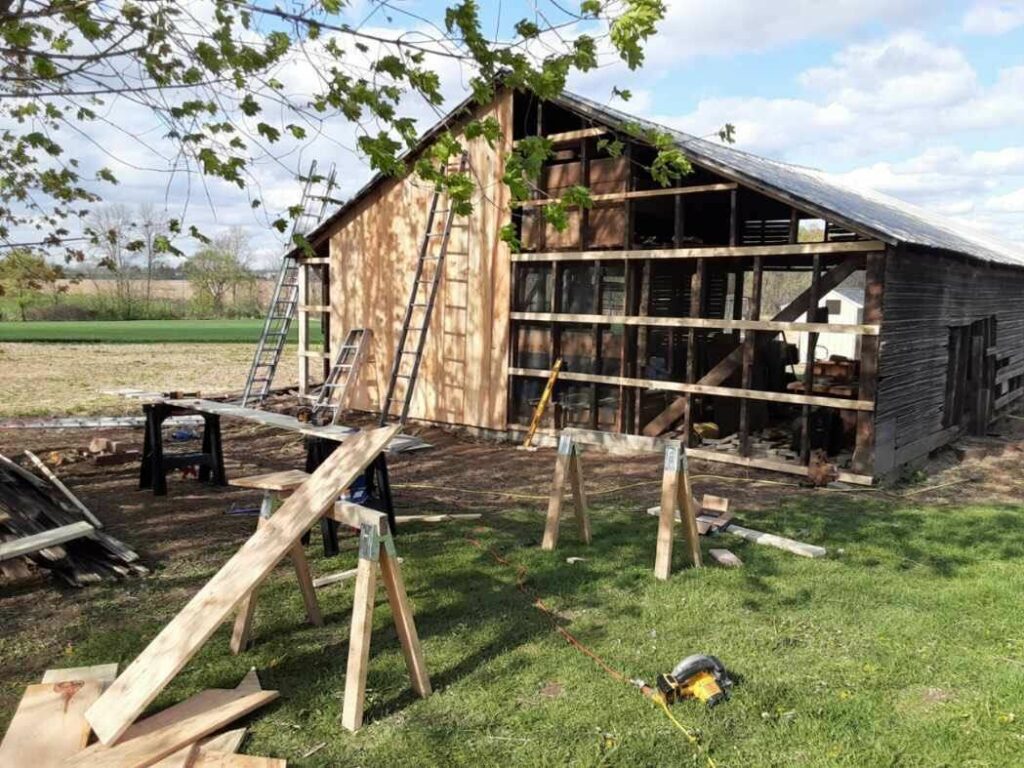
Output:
(316, 198)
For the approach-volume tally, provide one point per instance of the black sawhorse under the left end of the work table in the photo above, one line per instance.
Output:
(155, 465)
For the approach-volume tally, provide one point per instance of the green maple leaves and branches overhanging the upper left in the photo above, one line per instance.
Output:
(211, 72)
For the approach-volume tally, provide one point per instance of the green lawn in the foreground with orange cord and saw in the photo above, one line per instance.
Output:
(904, 648)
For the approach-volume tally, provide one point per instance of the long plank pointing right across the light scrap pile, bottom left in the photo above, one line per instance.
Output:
(150, 741)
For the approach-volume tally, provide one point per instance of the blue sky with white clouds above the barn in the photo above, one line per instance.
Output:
(921, 100)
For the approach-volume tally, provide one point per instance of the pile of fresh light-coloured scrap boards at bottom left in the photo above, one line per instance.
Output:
(50, 727)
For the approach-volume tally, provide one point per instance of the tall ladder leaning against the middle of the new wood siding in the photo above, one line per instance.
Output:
(430, 271)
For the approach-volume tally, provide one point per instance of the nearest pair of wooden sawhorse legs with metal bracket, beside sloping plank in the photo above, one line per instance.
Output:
(373, 533)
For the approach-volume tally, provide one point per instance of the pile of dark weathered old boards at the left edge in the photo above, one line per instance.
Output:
(44, 523)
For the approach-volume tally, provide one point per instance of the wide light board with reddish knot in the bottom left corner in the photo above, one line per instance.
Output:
(50, 724)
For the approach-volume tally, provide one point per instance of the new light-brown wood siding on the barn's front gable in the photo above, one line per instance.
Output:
(464, 374)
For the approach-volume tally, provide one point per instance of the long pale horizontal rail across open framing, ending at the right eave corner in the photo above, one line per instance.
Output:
(710, 252)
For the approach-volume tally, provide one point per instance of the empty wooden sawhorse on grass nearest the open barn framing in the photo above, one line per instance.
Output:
(675, 491)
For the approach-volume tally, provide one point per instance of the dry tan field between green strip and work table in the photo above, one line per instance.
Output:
(70, 379)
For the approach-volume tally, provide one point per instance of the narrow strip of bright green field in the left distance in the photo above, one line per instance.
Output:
(141, 332)
